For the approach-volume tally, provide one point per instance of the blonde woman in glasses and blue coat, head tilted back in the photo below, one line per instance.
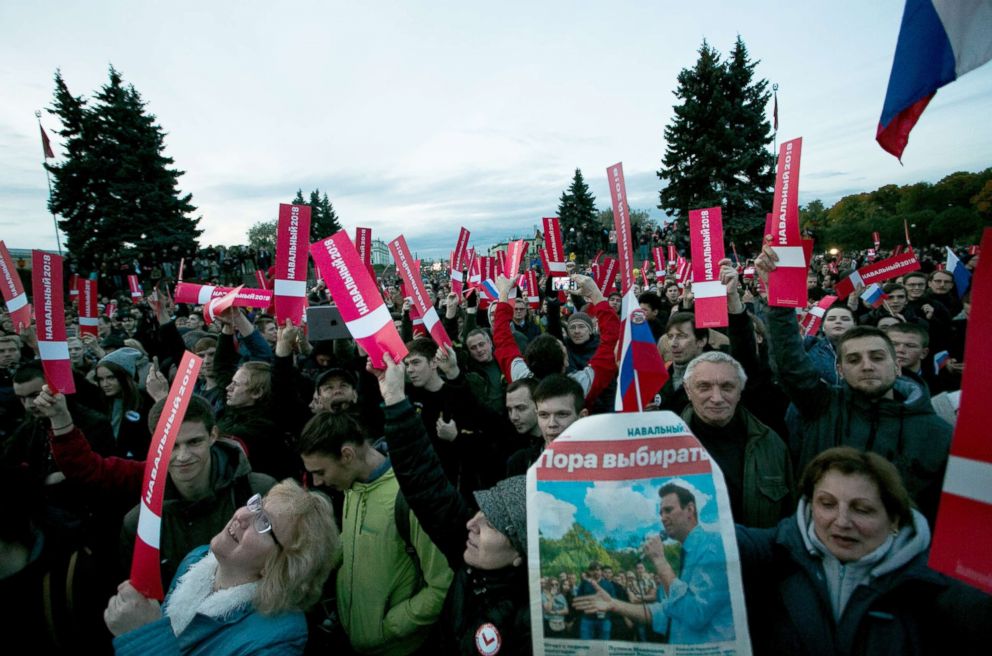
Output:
(245, 593)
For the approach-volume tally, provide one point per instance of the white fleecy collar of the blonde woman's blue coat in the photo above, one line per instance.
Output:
(194, 594)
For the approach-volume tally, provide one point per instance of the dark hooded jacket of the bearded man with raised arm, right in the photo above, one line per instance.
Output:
(904, 429)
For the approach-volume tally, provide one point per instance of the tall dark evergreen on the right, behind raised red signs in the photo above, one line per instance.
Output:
(716, 143)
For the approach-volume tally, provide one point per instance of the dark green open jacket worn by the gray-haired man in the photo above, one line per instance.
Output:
(768, 482)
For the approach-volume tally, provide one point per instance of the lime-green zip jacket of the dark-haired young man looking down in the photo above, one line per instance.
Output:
(385, 605)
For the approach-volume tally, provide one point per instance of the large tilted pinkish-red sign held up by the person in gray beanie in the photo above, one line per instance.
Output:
(357, 298)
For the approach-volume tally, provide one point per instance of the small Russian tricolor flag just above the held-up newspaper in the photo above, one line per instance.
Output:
(642, 370)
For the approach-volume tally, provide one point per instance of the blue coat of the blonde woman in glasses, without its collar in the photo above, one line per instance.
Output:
(245, 631)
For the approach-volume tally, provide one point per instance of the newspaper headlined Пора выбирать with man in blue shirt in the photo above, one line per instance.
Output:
(631, 543)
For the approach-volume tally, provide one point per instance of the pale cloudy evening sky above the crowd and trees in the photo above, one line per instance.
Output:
(420, 117)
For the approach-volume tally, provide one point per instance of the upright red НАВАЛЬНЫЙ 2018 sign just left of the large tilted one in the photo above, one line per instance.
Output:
(290, 286)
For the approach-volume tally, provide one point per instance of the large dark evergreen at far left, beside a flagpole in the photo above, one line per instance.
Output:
(116, 191)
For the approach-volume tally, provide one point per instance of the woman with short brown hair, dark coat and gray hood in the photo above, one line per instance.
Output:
(848, 573)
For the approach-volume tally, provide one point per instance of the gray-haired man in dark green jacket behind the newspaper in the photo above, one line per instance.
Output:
(753, 458)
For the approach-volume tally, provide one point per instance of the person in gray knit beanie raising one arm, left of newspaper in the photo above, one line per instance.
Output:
(487, 609)
